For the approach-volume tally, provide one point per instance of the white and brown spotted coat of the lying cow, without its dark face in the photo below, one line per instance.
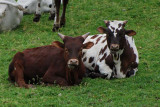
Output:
(99, 58)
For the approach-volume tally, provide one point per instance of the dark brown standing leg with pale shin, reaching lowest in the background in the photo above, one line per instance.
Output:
(56, 25)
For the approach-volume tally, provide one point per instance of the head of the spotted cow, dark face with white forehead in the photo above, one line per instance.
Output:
(116, 34)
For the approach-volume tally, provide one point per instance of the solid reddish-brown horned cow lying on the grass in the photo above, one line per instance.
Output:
(62, 66)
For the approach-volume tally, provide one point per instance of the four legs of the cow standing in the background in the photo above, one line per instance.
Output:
(54, 13)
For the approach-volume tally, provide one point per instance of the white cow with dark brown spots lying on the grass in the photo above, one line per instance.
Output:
(114, 53)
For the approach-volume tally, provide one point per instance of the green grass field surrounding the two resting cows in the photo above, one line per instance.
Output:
(85, 16)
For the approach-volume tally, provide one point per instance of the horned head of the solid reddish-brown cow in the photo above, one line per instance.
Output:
(73, 48)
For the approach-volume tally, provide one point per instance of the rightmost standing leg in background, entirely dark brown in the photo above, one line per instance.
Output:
(63, 20)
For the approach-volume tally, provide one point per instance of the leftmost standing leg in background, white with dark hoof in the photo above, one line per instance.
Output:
(38, 11)
